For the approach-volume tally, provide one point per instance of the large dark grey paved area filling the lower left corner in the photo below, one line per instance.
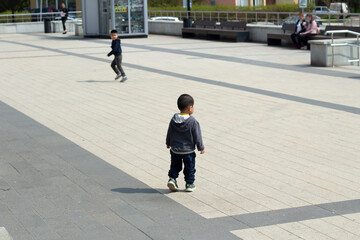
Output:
(51, 188)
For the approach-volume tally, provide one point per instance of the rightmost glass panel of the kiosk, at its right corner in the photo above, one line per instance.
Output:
(137, 16)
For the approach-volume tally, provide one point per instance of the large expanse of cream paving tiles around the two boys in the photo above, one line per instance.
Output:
(263, 153)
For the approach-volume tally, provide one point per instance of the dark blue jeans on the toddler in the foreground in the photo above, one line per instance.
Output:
(189, 166)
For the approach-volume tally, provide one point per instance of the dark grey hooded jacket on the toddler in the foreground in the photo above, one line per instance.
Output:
(184, 134)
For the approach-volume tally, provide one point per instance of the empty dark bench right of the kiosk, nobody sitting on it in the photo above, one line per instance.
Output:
(212, 31)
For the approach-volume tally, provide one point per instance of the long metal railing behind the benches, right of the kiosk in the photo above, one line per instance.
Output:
(263, 17)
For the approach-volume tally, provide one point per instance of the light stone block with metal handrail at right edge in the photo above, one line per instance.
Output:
(321, 52)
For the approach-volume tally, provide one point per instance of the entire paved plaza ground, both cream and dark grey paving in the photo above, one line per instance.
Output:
(83, 156)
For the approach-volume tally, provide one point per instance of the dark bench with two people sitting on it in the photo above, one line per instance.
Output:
(288, 28)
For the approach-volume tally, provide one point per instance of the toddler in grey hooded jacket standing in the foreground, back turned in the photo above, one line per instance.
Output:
(183, 135)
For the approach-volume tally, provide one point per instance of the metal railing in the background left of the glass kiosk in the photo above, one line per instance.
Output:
(36, 17)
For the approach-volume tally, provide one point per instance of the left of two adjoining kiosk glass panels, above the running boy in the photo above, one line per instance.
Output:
(121, 16)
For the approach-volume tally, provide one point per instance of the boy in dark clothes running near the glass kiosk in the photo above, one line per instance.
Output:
(117, 52)
